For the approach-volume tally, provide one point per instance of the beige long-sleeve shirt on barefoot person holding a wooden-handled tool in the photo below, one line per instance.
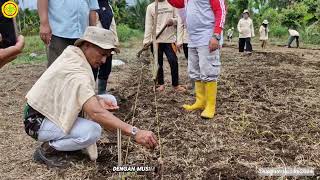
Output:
(166, 11)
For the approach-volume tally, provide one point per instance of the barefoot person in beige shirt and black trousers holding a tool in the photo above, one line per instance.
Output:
(167, 16)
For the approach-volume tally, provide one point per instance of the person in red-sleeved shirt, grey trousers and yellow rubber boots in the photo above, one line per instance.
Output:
(205, 22)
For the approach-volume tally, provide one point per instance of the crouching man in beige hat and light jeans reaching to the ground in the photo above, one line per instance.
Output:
(52, 110)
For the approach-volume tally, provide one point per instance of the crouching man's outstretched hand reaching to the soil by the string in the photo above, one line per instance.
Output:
(146, 138)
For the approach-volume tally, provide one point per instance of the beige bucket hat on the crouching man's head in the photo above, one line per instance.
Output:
(98, 36)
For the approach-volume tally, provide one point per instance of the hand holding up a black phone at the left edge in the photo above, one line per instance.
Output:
(10, 53)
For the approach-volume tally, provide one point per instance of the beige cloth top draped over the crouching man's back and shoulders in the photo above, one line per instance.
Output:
(63, 88)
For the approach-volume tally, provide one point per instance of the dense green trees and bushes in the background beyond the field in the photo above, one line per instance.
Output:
(304, 15)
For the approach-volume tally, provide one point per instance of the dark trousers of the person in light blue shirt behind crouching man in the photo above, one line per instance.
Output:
(57, 46)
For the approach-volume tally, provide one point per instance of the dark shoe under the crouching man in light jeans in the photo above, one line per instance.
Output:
(46, 154)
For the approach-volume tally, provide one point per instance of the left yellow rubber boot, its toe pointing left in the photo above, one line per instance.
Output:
(200, 98)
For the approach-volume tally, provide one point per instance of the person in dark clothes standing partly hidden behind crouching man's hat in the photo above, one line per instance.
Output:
(105, 19)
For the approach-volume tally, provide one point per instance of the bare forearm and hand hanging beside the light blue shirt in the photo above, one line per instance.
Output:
(45, 29)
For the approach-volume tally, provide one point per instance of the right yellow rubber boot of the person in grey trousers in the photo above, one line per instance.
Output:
(211, 94)
